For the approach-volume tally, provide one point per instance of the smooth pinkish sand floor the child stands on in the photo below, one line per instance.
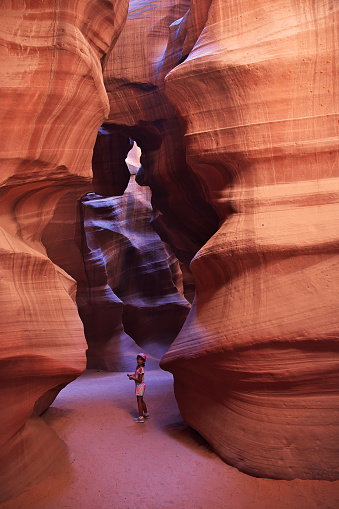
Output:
(159, 464)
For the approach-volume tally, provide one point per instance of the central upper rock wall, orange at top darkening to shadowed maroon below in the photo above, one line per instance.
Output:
(133, 75)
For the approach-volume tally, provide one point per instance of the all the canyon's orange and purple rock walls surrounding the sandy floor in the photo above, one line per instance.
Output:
(169, 184)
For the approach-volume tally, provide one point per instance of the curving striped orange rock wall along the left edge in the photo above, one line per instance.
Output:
(52, 104)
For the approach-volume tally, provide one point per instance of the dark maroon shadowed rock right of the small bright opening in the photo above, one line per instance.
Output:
(182, 217)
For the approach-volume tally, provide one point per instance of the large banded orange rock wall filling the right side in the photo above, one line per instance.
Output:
(256, 363)
